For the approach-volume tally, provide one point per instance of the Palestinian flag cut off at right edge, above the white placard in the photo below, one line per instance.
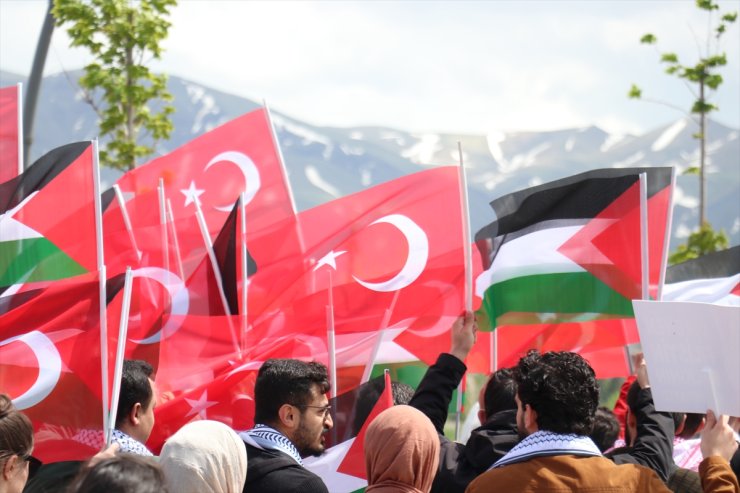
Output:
(712, 278)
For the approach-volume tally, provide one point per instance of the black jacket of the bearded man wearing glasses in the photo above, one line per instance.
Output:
(270, 471)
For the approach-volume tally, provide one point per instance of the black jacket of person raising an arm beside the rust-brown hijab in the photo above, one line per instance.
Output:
(460, 463)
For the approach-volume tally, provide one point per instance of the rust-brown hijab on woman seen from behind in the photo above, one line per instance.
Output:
(401, 452)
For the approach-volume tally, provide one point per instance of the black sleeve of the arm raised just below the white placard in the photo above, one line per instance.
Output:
(654, 443)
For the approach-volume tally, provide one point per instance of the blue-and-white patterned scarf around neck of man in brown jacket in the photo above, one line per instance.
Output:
(544, 443)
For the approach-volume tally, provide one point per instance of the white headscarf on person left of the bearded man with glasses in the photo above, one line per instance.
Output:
(204, 457)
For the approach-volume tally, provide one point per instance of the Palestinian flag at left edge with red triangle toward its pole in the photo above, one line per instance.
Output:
(42, 214)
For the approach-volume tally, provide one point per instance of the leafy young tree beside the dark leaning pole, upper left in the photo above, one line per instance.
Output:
(123, 36)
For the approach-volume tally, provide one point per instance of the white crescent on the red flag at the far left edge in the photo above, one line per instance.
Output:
(50, 368)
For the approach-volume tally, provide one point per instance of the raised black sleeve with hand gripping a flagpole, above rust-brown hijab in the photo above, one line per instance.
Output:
(434, 393)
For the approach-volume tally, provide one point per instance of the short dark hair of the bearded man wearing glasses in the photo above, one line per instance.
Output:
(286, 381)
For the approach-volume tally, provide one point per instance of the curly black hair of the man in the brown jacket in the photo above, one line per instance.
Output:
(561, 387)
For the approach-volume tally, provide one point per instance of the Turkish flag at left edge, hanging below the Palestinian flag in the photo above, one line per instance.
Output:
(50, 365)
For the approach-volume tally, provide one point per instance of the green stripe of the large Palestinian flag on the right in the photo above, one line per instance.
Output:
(552, 294)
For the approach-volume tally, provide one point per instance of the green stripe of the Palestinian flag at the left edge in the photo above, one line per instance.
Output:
(34, 259)
